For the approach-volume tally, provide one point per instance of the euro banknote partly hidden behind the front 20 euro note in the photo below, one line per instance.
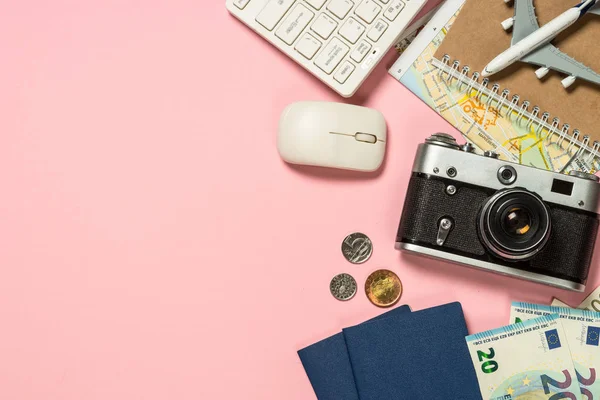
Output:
(582, 331)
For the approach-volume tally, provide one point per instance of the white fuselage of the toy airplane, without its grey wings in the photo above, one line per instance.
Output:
(540, 37)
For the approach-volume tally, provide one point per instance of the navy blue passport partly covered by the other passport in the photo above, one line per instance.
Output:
(328, 366)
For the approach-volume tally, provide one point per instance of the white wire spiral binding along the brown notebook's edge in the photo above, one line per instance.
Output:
(553, 128)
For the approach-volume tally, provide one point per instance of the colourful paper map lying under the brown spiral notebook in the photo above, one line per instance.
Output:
(535, 140)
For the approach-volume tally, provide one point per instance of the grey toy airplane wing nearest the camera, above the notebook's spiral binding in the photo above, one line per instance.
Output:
(552, 58)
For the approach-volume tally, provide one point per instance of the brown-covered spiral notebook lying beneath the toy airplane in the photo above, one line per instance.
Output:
(564, 122)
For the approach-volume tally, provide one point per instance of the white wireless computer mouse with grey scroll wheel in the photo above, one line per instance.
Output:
(332, 135)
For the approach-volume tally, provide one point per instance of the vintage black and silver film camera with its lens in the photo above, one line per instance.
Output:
(504, 217)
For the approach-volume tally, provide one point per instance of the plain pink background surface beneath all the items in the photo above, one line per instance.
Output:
(152, 243)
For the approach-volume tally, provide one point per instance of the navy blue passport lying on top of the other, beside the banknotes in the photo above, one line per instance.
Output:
(422, 355)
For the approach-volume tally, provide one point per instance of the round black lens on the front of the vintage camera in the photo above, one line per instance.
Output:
(514, 224)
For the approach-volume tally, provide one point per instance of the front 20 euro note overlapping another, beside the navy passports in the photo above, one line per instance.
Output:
(525, 361)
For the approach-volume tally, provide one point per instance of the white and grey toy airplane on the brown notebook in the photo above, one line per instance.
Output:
(531, 44)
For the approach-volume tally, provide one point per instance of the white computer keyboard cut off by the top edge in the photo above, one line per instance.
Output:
(339, 41)
